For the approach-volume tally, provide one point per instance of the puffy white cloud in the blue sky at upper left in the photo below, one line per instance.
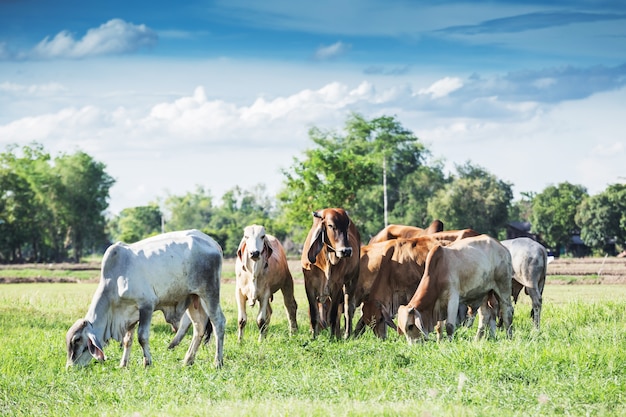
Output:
(113, 37)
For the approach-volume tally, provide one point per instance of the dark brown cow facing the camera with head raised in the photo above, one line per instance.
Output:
(330, 265)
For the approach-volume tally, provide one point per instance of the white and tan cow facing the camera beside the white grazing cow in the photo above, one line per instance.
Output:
(261, 269)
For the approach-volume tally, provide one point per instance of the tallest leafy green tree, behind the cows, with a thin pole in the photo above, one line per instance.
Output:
(350, 170)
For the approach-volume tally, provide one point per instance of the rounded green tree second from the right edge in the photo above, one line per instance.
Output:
(554, 212)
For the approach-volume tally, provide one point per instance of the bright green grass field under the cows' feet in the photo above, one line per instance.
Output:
(576, 365)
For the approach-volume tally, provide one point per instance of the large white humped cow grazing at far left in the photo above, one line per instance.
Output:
(172, 272)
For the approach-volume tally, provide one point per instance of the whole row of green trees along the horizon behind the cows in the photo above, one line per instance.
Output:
(54, 209)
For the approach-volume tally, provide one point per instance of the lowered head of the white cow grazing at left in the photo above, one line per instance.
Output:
(82, 344)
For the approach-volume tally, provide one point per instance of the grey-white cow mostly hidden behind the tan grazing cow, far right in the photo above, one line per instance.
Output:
(529, 271)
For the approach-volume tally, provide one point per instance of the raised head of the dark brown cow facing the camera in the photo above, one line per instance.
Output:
(330, 229)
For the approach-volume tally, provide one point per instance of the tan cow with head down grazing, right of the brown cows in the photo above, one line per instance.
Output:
(467, 271)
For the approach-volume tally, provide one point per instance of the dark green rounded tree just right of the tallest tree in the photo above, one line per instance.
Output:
(476, 200)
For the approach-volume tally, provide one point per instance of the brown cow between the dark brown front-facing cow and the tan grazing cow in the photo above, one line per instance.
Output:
(390, 273)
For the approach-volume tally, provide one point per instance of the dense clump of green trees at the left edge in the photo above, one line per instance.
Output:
(51, 210)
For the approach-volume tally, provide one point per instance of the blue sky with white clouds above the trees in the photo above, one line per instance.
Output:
(172, 95)
